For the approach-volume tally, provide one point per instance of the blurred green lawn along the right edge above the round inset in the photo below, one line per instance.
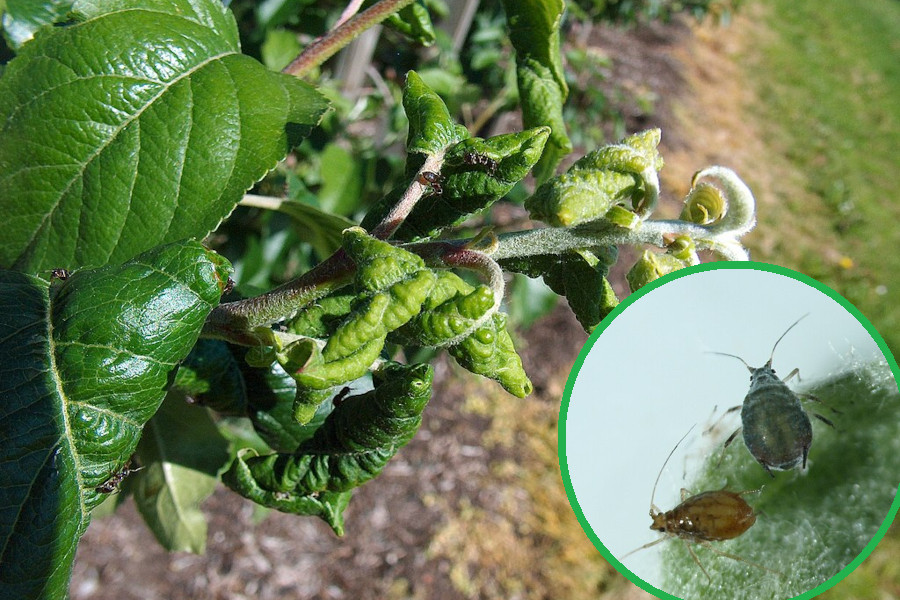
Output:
(827, 77)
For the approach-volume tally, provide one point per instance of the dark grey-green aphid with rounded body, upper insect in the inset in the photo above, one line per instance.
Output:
(776, 427)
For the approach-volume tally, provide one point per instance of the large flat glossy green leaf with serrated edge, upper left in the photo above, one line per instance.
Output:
(138, 125)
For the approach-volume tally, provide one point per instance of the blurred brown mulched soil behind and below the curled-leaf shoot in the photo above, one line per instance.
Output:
(474, 506)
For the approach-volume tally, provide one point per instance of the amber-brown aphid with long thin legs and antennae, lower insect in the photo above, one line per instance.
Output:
(711, 516)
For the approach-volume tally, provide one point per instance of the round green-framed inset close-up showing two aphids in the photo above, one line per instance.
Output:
(733, 432)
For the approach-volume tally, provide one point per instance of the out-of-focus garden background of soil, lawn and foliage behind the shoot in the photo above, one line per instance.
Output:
(800, 97)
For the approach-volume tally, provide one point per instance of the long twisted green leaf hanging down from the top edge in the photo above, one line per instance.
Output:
(534, 32)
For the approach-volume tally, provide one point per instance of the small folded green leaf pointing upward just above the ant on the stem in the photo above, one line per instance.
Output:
(431, 128)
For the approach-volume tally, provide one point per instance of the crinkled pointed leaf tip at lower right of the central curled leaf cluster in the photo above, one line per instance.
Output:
(490, 352)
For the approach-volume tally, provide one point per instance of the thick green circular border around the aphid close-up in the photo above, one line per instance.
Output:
(631, 299)
